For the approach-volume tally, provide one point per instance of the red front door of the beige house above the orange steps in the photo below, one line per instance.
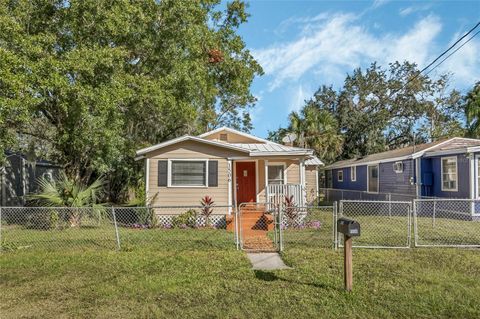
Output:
(245, 175)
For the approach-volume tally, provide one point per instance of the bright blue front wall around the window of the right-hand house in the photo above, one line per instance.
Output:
(432, 165)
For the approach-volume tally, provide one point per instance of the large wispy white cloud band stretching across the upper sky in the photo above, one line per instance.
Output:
(328, 46)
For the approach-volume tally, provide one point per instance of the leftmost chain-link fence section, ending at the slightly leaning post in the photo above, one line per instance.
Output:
(51, 228)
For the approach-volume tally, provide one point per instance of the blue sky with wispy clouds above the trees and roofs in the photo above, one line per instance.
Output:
(304, 44)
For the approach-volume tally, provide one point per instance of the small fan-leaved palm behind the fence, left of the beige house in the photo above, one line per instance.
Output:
(66, 192)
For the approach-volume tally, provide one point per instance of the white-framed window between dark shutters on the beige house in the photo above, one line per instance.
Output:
(188, 173)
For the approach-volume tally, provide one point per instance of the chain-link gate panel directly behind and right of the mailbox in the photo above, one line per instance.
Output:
(383, 224)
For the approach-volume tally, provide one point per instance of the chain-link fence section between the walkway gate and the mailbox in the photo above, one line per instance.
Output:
(308, 227)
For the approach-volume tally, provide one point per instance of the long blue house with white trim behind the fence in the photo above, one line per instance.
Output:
(443, 169)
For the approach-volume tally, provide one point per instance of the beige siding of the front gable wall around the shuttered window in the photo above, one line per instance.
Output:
(167, 196)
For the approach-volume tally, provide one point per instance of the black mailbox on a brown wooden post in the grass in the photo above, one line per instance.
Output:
(349, 228)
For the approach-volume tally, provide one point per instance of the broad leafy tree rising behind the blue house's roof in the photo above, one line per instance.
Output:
(379, 109)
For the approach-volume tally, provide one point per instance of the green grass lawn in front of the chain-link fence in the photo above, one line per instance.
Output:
(217, 283)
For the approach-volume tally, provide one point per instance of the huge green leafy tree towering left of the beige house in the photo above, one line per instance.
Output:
(91, 81)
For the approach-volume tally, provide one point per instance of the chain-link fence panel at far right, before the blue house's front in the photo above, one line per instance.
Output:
(447, 222)
